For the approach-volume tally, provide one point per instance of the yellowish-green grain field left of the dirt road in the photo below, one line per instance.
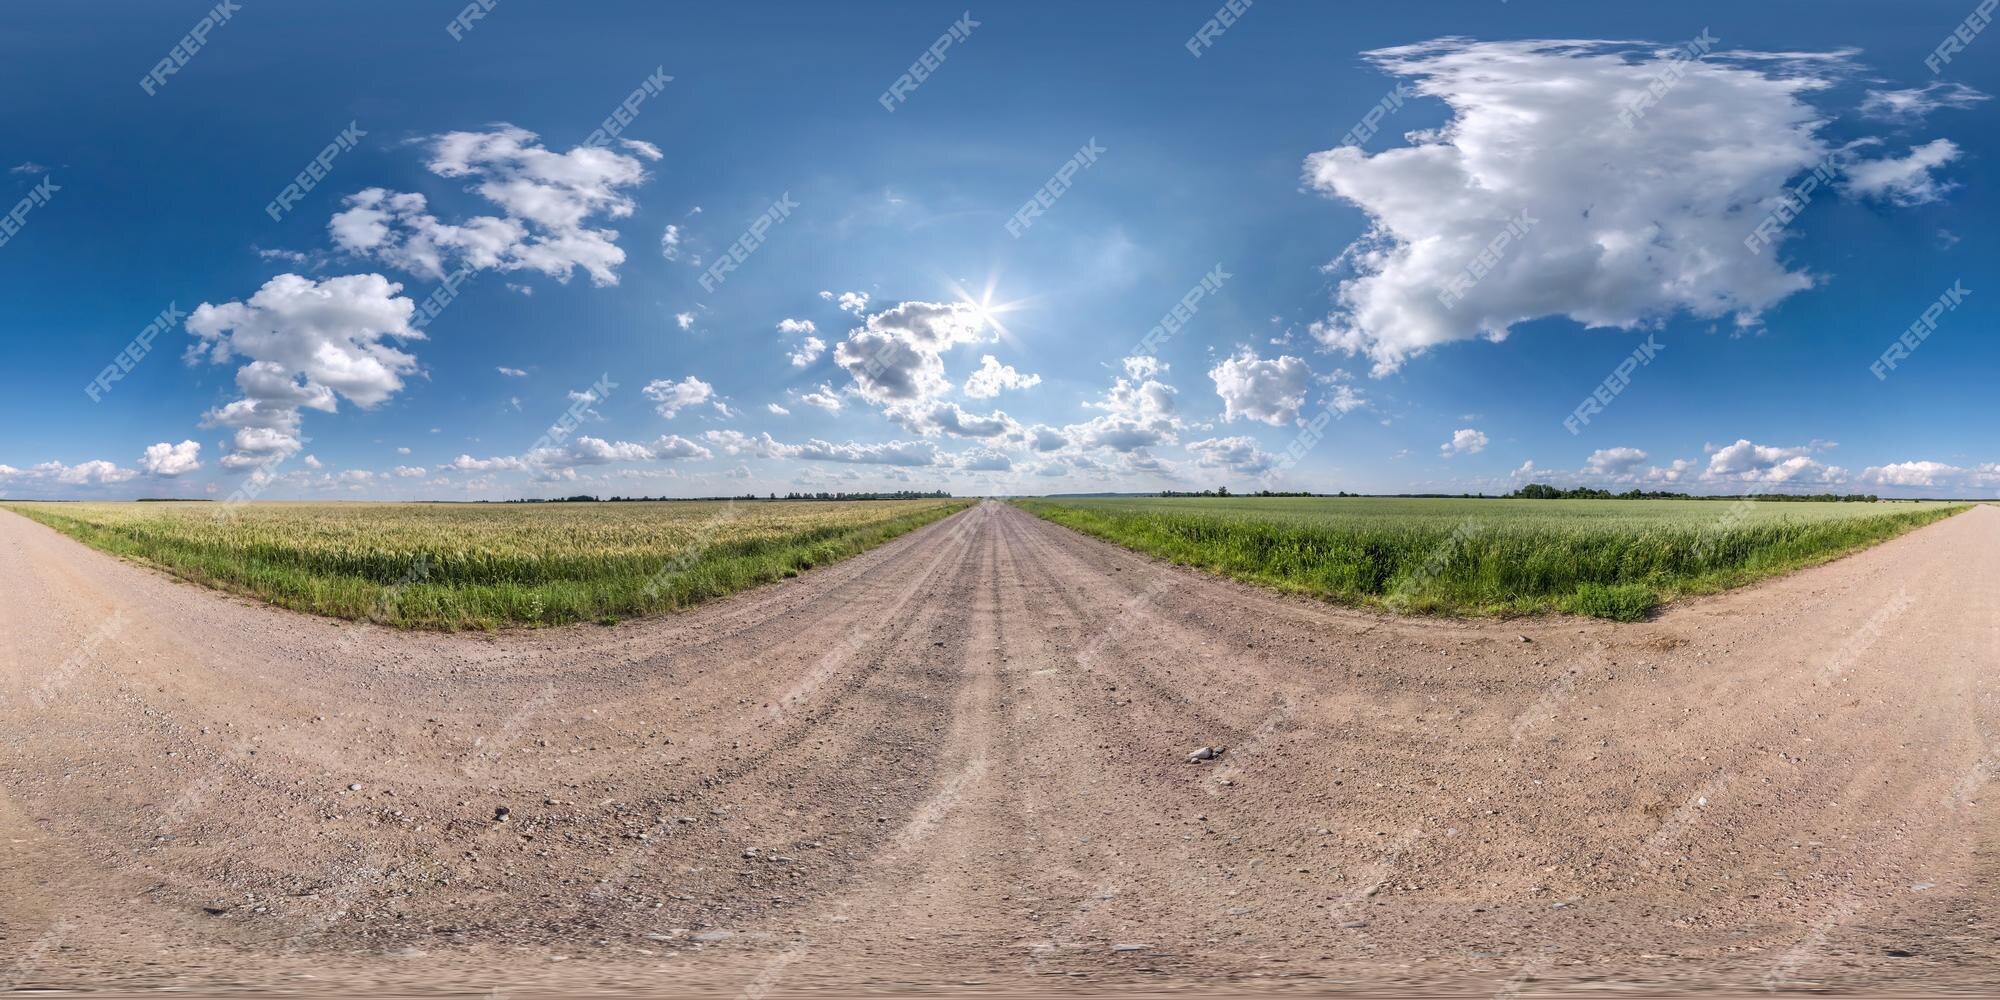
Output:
(489, 565)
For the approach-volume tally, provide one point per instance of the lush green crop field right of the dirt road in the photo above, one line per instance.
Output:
(1607, 559)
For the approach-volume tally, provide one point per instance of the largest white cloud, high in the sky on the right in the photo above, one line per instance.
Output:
(1611, 223)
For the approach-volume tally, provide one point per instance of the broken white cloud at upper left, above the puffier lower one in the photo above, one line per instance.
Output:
(549, 201)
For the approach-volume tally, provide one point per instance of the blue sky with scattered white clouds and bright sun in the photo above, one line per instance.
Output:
(1341, 343)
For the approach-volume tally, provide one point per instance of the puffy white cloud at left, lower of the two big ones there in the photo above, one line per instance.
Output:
(305, 343)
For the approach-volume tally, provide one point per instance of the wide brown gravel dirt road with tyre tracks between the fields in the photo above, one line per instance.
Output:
(961, 761)
